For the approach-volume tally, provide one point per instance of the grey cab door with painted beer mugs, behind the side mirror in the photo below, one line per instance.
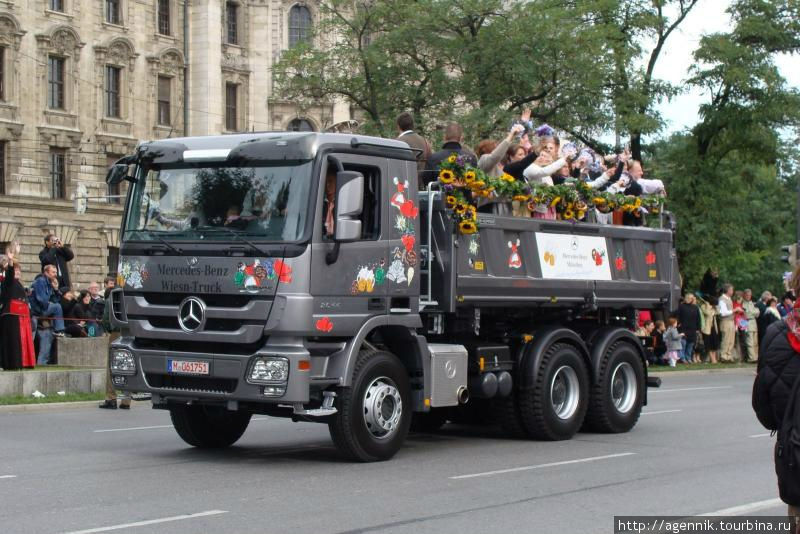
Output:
(354, 287)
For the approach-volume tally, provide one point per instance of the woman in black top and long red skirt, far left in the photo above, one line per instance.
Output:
(16, 336)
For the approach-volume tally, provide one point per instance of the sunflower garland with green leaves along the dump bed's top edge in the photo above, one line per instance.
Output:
(464, 184)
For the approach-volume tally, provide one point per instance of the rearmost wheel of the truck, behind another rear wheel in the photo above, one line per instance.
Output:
(617, 396)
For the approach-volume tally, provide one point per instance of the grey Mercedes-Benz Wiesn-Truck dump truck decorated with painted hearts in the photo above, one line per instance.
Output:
(303, 275)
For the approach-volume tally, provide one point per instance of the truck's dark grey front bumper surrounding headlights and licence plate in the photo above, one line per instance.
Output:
(227, 377)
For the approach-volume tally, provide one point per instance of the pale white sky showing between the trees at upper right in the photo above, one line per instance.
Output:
(707, 17)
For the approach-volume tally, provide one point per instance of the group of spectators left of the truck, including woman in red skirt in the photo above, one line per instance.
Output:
(49, 308)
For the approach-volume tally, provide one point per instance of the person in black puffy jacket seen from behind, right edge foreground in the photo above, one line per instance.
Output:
(778, 368)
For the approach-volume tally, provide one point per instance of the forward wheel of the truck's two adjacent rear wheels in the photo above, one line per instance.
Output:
(555, 406)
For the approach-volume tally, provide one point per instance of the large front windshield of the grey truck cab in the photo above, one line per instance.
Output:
(211, 202)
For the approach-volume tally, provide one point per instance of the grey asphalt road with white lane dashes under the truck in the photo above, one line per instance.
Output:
(697, 449)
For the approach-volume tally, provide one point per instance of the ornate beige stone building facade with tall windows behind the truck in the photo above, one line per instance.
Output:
(83, 81)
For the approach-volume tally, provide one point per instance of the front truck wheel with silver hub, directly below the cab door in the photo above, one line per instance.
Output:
(374, 414)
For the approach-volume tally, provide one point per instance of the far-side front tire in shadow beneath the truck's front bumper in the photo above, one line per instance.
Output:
(208, 427)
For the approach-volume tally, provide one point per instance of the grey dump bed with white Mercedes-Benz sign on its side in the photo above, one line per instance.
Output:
(516, 261)
